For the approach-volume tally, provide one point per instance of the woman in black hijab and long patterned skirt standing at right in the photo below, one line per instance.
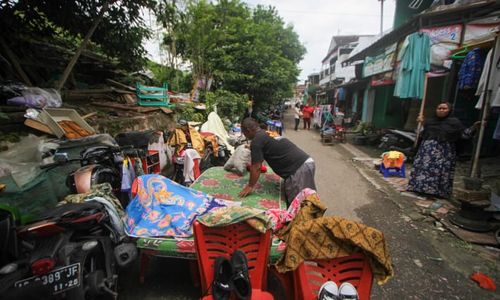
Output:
(434, 163)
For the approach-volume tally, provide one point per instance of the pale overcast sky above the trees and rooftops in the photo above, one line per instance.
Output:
(316, 21)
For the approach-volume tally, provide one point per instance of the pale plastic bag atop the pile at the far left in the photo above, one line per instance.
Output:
(37, 97)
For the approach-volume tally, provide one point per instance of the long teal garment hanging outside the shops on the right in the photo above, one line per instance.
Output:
(414, 64)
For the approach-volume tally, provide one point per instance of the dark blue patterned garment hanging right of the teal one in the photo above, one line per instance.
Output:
(470, 71)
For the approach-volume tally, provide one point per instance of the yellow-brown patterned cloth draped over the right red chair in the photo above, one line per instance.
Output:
(311, 236)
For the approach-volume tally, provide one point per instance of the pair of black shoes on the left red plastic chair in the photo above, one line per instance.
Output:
(231, 276)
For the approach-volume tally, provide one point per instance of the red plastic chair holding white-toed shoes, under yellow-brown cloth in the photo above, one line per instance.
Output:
(310, 275)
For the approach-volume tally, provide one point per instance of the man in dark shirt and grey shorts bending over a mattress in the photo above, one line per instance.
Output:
(285, 158)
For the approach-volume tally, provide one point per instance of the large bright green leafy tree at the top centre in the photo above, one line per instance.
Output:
(246, 51)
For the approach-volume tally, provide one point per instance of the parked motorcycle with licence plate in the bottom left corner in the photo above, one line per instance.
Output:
(73, 252)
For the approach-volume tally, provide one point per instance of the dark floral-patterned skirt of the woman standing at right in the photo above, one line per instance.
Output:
(433, 169)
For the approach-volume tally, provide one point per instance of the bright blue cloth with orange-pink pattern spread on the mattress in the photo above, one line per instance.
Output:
(163, 208)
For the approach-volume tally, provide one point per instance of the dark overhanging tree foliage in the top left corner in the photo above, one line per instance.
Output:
(119, 35)
